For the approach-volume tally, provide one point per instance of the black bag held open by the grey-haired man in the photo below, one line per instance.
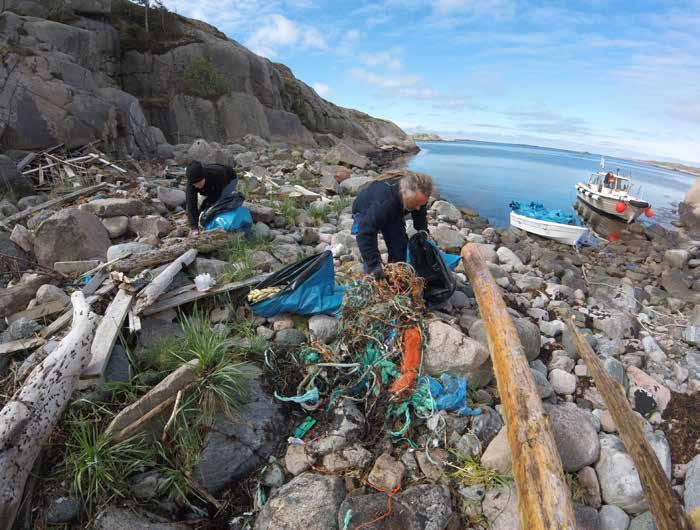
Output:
(430, 265)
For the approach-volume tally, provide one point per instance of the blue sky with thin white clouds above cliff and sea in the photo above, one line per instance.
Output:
(616, 77)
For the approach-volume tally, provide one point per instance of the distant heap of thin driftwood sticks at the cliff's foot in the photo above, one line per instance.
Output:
(57, 166)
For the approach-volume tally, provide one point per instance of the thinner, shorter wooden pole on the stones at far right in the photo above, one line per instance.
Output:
(667, 512)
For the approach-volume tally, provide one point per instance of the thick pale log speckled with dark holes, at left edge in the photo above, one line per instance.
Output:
(28, 419)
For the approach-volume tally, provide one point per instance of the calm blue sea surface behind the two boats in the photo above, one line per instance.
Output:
(487, 176)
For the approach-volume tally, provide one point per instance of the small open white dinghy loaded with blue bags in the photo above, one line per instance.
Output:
(552, 224)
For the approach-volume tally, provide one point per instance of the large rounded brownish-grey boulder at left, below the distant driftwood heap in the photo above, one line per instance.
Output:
(70, 235)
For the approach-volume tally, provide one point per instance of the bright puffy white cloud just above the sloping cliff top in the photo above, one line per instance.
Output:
(279, 32)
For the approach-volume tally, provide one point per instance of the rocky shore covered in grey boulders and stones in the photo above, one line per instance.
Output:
(635, 299)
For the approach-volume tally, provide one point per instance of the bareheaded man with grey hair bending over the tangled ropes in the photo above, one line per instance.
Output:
(381, 207)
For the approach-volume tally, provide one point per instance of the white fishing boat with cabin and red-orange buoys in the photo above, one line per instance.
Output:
(611, 194)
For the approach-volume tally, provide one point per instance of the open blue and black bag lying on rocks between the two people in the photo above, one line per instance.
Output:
(311, 292)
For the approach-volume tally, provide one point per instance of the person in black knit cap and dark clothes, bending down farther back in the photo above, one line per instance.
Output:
(208, 180)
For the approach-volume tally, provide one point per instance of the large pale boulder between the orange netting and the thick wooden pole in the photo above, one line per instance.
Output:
(450, 350)
